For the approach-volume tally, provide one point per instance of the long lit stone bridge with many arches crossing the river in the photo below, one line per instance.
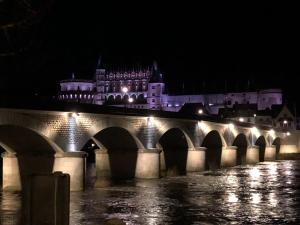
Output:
(129, 143)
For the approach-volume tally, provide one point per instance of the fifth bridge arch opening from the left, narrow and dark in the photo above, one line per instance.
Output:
(242, 144)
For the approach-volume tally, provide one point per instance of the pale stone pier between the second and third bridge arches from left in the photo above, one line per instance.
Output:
(148, 163)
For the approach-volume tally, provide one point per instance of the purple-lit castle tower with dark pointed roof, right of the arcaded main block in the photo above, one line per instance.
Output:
(156, 88)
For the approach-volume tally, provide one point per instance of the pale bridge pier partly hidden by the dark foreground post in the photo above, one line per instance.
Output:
(74, 164)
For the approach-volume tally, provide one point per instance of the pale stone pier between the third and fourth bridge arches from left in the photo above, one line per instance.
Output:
(195, 159)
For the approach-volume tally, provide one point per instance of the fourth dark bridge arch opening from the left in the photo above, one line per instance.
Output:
(213, 143)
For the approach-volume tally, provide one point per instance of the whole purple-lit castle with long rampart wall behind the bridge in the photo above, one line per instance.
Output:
(145, 89)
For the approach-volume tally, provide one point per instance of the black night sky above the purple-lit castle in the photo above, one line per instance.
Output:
(203, 46)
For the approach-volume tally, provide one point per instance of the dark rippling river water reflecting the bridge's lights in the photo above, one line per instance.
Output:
(267, 193)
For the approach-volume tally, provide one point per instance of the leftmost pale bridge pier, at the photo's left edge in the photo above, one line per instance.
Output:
(11, 172)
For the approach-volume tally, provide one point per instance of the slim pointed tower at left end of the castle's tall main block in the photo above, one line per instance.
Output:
(100, 83)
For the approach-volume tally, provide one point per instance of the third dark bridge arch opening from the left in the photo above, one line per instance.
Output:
(175, 144)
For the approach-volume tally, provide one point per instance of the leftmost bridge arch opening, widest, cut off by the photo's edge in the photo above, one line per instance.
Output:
(28, 152)
